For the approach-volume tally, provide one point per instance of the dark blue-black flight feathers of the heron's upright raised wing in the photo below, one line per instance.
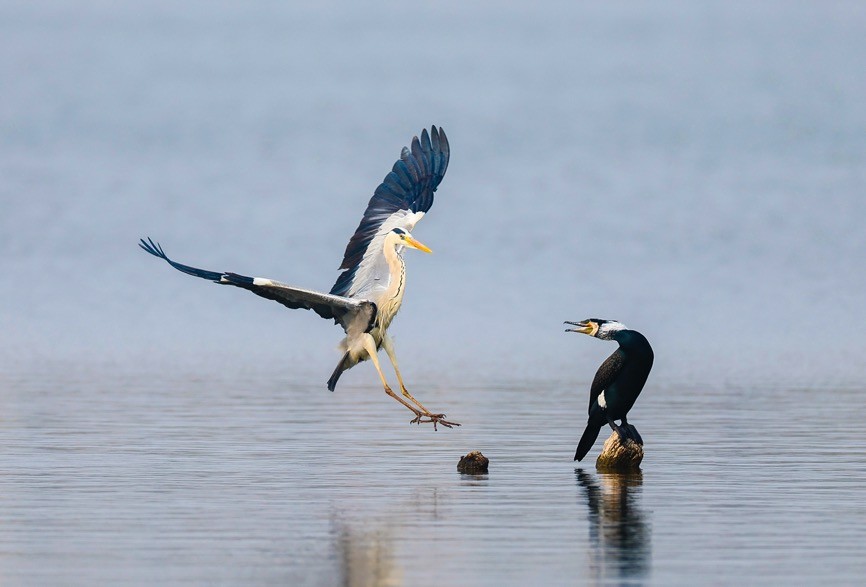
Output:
(408, 187)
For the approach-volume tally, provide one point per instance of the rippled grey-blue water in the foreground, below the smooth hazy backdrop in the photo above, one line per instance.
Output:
(258, 482)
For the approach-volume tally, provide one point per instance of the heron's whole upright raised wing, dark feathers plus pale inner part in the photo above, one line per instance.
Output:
(403, 197)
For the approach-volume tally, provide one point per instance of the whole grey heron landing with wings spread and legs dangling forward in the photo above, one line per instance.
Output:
(369, 291)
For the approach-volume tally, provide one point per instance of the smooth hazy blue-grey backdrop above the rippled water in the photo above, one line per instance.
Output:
(695, 171)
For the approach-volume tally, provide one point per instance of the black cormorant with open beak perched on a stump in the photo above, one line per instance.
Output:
(617, 382)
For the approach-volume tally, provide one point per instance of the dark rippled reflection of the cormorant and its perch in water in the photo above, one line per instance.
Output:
(618, 530)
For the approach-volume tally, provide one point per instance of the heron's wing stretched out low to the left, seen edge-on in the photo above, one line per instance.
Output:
(353, 315)
